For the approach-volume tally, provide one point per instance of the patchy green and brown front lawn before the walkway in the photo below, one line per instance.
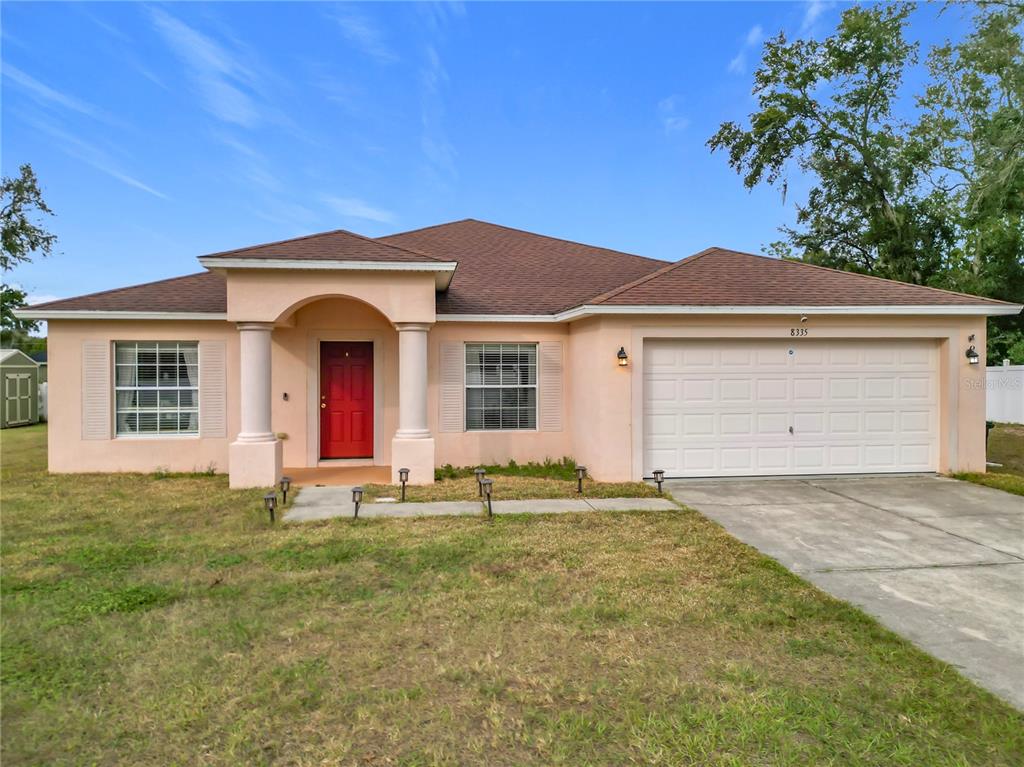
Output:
(163, 621)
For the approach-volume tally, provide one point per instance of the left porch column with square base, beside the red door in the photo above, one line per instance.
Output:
(254, 458)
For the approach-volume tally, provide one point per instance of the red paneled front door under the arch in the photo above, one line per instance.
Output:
(347, 400)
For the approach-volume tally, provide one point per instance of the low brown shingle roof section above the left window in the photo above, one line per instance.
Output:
(203, 292)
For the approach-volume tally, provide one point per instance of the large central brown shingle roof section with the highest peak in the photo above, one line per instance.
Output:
(509, 272)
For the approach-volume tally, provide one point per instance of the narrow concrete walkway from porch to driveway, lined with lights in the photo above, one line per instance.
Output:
(327, 503)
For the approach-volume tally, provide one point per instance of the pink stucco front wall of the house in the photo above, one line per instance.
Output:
(603, 402)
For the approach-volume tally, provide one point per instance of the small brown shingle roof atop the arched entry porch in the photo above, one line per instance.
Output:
(329, 246)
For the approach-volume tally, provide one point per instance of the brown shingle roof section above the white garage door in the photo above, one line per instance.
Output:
(724, 278)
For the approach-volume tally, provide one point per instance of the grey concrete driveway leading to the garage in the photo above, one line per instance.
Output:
(936, 561)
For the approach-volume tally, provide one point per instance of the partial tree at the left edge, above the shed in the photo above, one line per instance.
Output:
(22, 237)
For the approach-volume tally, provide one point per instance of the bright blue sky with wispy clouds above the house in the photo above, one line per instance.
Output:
(165, 132)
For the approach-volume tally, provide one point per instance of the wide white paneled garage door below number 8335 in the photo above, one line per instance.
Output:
(761, 408)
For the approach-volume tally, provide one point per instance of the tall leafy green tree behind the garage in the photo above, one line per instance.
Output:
(930, 193)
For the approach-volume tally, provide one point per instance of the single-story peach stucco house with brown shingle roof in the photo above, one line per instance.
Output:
(471, 343)
